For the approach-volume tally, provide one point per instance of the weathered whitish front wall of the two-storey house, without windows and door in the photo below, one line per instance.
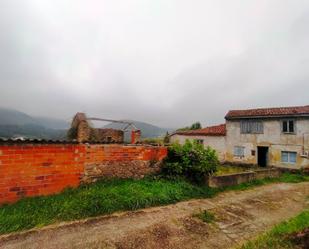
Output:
(273, 138)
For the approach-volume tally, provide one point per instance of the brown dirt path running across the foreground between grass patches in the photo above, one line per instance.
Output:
(239, 216)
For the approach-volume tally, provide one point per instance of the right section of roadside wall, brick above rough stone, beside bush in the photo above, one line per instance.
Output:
(121, 161)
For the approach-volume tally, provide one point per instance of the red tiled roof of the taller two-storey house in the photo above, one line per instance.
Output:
(269, 112)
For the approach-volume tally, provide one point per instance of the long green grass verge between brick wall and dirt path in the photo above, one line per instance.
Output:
(108, 196)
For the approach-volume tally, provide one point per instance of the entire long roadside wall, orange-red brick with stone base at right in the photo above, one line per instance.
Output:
(38, 169)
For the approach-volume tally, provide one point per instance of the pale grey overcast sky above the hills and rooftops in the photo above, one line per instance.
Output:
(167, 62)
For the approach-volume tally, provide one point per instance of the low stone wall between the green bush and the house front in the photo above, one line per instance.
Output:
(238, 178)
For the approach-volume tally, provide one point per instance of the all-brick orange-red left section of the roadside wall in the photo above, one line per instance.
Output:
(30, 170)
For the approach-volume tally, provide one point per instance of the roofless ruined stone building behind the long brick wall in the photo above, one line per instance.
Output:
(82, 131)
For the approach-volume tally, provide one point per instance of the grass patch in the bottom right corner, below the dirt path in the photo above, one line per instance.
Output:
(281, 236)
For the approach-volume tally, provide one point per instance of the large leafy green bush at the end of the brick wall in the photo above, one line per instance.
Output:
(190, 160)
